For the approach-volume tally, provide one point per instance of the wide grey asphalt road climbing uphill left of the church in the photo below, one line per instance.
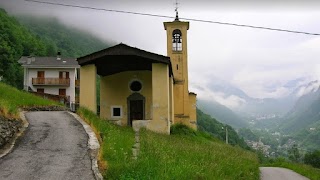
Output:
(53, 147)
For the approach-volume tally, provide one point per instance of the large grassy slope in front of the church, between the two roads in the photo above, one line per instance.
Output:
(169, 157)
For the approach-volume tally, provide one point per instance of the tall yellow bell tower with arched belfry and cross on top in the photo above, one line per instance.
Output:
(177, 50)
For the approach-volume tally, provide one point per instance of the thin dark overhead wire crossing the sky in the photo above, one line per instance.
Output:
(188, 19)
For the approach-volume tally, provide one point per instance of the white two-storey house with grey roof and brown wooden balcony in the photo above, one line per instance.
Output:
(55, 76)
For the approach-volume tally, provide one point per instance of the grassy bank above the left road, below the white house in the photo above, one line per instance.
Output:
(11, 99)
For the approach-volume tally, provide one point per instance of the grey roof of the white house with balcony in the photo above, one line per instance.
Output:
(48, 62)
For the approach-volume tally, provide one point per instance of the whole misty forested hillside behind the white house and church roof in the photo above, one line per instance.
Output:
(38, 37)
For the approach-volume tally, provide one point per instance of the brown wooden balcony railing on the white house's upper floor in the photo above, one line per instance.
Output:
(51, 81)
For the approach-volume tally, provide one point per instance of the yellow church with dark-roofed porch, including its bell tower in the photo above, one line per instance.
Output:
(141, 88)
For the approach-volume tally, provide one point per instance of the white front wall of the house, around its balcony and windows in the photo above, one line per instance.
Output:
(52, 73)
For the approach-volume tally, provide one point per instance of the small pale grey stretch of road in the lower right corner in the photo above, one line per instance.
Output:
(274, 173)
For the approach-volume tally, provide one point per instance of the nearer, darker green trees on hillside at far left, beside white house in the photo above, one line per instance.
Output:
(15, 41)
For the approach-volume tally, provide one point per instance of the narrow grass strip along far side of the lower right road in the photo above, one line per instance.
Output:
(303, 169)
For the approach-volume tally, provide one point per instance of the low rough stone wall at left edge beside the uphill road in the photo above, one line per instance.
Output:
(8, 129)
